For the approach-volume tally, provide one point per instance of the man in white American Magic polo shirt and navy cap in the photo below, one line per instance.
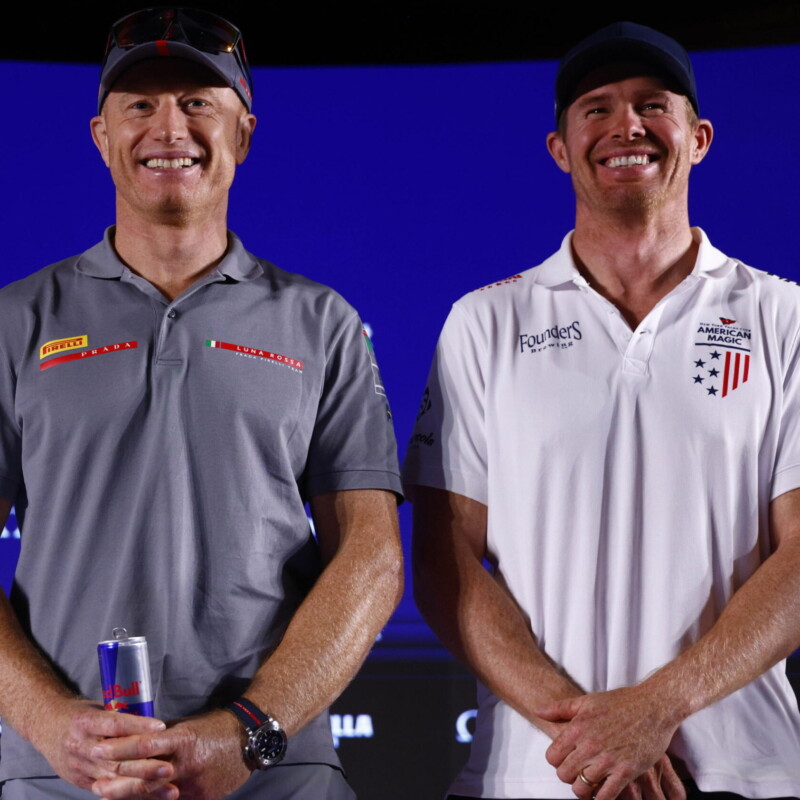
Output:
(617, 433)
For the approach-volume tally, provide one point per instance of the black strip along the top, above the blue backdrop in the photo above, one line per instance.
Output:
(410, 32)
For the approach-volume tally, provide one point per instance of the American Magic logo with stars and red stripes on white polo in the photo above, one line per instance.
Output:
(722, 357)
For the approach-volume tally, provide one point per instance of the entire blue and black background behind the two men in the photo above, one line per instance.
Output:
(399, 157)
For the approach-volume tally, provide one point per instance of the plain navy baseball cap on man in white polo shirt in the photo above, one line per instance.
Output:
(624, 41)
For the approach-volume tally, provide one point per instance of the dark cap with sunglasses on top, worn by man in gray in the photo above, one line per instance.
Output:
(190, 33)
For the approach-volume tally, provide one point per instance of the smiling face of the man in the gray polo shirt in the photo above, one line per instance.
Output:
(172, 137)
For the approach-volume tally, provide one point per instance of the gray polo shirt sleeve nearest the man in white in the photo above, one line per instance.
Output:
(353, 444)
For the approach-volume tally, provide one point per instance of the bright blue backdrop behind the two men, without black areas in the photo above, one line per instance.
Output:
(404, 188)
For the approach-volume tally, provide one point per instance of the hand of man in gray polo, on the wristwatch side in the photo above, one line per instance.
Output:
(204, 752)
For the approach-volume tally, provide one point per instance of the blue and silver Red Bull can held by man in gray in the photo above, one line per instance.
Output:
(125, 674)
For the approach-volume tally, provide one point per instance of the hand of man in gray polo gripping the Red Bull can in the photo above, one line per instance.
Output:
(67, 736)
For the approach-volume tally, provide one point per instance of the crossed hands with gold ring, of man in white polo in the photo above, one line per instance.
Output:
(611, 739)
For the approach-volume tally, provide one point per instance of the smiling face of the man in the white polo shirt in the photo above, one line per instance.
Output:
(629, 143)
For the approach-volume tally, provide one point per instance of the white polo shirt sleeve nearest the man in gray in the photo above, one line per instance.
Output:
(448, 446)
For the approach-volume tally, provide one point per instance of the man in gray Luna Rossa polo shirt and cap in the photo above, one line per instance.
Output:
(168, 402)
